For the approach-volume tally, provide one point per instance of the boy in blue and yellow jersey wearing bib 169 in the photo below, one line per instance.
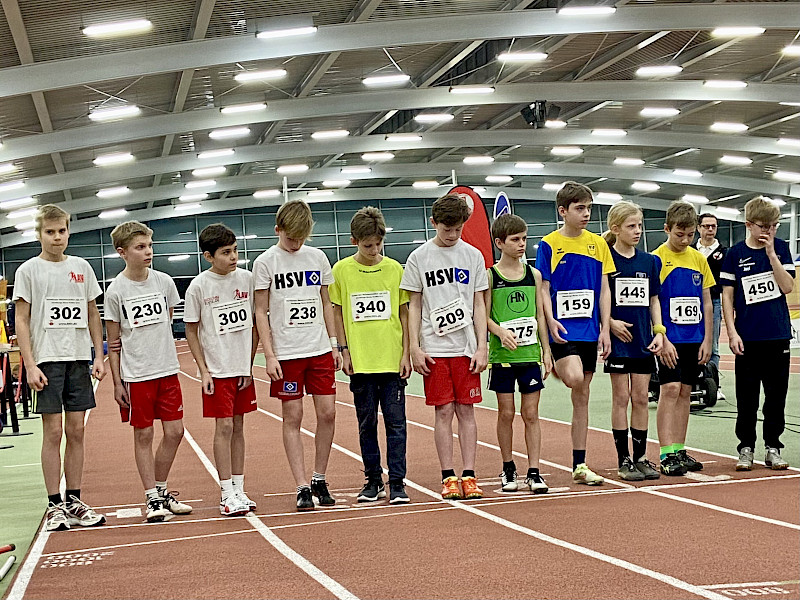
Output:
(687, 313)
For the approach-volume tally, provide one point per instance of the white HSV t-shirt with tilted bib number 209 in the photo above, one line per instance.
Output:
(448, 278)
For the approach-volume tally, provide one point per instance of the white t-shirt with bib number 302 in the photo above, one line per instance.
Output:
(59, 294)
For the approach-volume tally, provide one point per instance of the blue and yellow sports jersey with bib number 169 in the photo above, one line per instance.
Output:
(684, 276)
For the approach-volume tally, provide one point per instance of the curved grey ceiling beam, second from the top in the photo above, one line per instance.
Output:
(368, 102)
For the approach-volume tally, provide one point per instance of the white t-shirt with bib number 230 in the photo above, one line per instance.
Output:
(142, 310)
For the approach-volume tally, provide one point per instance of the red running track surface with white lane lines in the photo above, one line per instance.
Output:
(666, 540)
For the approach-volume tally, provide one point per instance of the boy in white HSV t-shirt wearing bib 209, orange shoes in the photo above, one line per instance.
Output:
(447, 330)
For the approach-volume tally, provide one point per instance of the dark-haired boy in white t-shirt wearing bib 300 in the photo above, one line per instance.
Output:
(223, 341)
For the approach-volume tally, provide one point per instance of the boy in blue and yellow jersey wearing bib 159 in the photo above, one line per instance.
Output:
(575, 264)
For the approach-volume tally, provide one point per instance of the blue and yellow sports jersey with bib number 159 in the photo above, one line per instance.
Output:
(575, 268)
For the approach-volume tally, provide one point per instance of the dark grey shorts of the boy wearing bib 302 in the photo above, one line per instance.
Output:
(69, 388)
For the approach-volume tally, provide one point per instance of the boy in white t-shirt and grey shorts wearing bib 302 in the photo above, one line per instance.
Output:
(57, 324)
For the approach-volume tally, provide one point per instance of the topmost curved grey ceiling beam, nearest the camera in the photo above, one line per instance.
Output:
(198, 54)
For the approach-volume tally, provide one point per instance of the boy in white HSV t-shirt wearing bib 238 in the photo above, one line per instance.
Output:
(295, 319)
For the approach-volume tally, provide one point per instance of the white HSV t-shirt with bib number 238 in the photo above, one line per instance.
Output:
(294, 281)
